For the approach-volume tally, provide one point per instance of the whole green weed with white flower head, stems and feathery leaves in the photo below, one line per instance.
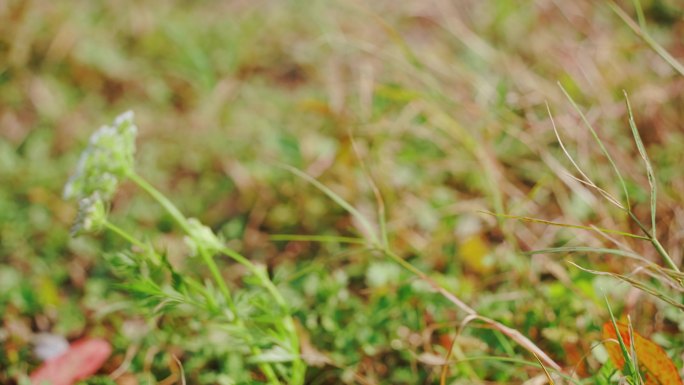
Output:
(261, 323)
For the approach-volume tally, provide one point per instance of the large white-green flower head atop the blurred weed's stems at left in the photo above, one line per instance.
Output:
(107, 159)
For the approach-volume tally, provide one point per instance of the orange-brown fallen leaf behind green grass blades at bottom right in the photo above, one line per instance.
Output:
(657, 367)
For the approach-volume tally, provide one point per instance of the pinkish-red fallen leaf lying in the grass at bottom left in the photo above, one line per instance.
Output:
(82, 360)
